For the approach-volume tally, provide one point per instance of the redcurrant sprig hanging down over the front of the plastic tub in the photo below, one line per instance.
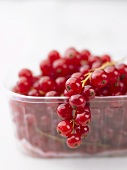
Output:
(76, 113)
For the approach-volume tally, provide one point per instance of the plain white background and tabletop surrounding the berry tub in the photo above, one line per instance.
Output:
(29, 29)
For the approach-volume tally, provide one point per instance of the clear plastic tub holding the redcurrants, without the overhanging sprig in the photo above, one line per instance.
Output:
(35, 122)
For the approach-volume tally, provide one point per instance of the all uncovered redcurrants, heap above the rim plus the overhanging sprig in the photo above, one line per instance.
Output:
(80, 76)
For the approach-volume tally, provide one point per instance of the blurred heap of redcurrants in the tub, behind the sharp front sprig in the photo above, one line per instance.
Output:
(55, 70)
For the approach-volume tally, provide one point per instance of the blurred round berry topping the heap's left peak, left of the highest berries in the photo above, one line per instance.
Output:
(53, 55)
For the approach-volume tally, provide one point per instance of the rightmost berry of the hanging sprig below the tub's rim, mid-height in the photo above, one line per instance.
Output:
(83, 118)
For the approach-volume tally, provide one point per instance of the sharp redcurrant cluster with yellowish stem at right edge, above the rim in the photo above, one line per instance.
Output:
(110, 79)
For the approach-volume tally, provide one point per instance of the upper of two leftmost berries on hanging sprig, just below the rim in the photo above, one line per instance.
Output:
(64, 111)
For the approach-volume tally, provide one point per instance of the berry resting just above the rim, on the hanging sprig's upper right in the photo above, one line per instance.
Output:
(88, 92)
